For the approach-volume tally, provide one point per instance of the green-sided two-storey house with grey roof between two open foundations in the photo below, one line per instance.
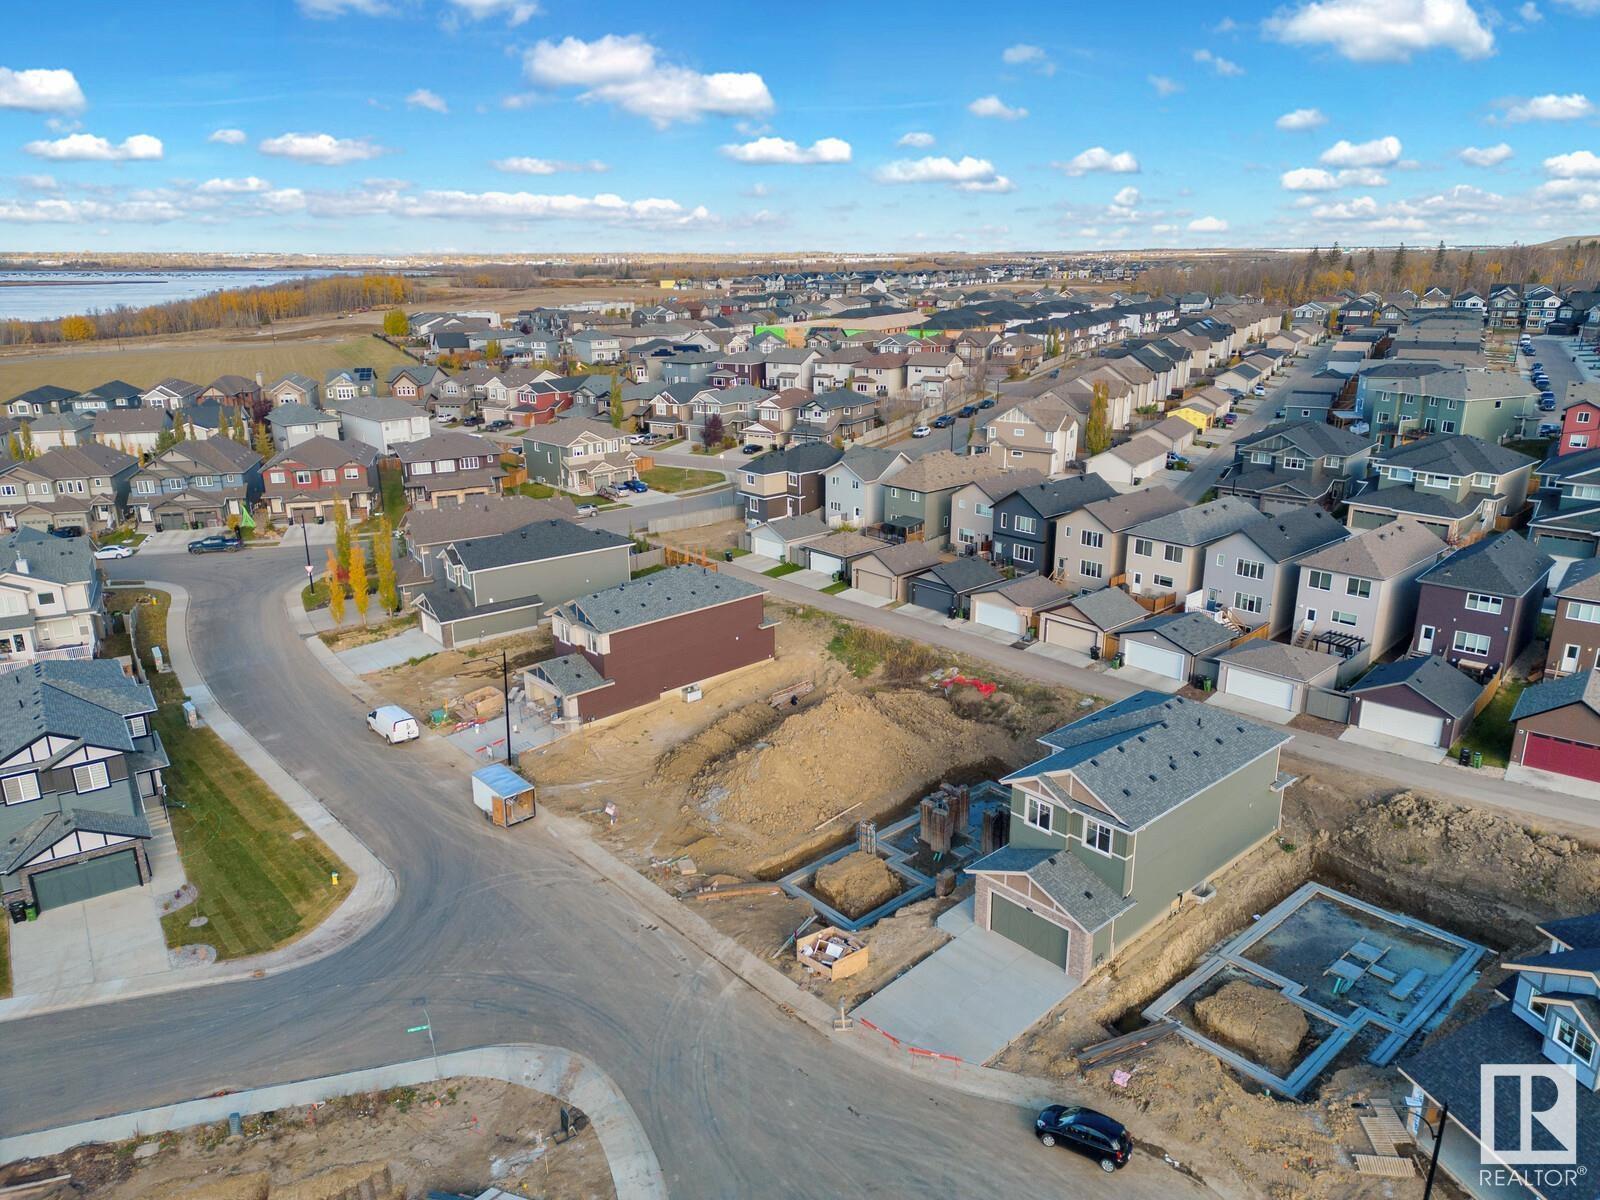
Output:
(1135, 806)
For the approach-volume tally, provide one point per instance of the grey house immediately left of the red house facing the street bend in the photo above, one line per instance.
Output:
(196, 486)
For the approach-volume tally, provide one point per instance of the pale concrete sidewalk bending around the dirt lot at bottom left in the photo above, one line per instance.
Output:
(636, 1174)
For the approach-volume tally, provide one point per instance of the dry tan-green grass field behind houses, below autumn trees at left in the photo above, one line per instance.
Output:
(201, 366)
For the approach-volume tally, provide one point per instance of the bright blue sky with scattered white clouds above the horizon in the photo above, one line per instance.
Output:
(546, 127)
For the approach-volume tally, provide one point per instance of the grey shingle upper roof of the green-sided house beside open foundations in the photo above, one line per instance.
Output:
(1150, 753)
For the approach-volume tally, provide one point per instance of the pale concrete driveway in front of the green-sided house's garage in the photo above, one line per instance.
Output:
(972, 998)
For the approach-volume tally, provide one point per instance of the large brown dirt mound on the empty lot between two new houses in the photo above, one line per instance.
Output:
(849, 750)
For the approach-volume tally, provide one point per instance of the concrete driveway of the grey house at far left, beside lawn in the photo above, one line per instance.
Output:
(116, 937)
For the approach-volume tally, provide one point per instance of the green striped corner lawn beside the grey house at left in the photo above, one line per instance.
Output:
(263, 878)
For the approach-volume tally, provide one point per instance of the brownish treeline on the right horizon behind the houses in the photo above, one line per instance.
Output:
(1290, 279)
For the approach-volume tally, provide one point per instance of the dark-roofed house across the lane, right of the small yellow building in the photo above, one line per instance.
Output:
(1297, 465)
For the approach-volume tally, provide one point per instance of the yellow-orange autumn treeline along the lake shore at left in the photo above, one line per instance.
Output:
(233, 310)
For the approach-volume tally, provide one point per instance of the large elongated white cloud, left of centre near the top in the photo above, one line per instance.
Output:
(625, 71)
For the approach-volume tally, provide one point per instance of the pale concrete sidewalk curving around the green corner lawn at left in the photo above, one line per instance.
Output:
(367, 903)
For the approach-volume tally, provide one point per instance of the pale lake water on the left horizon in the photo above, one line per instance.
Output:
(44, 295)
